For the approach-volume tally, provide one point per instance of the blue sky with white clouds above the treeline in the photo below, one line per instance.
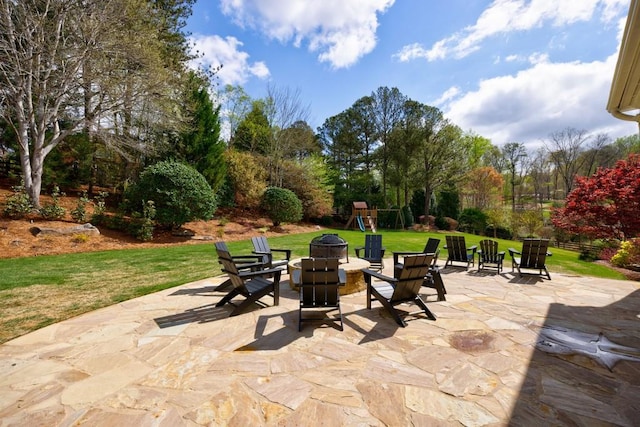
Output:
(509, 70)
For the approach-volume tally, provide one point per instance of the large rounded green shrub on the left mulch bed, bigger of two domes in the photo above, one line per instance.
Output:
(179, 192)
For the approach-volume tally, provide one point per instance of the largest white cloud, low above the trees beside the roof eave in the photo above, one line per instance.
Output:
(547, 97)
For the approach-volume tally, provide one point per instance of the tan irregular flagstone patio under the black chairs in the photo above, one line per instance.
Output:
(174, 359)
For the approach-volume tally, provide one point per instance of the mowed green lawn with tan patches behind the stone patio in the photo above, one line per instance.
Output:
(38, 291)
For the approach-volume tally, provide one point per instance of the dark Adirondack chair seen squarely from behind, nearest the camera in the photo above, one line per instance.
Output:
(319, 280)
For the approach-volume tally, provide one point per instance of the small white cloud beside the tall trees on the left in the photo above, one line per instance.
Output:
(236, 67)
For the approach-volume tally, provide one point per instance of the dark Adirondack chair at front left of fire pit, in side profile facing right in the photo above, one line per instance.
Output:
(252, 285)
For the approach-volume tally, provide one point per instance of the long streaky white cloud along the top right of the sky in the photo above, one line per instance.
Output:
(506, 16)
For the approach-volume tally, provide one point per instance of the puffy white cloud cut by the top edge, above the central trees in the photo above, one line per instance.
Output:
(340, 31)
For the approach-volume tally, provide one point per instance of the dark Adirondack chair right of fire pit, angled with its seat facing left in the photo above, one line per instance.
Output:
(405, 287)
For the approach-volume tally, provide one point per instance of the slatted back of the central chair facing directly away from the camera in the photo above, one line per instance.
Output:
(319, 282)
